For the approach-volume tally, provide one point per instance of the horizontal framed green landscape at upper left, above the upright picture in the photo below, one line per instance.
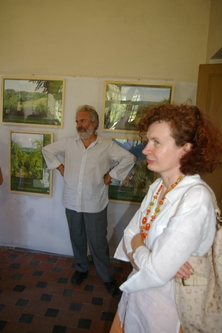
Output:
(33, 101)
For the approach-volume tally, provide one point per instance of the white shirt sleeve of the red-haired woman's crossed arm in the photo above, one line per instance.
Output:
(189, 232)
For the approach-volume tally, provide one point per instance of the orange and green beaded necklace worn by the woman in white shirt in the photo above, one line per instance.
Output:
(147, 224)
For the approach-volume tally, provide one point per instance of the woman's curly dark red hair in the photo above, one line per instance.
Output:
(188, 124)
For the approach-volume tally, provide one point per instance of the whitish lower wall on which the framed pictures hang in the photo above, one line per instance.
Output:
(39, 223)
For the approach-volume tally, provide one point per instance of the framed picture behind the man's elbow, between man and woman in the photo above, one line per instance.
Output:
(135, 186)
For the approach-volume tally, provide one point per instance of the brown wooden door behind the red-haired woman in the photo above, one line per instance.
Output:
(209, 100)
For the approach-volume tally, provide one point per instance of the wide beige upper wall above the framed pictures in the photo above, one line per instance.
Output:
(147, 39)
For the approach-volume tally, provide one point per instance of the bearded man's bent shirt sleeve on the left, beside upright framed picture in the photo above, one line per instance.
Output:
(51, 153)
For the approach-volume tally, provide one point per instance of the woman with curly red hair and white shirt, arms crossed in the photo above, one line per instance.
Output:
(176, 218)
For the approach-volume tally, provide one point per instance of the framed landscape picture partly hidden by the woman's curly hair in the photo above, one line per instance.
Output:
(124, 103)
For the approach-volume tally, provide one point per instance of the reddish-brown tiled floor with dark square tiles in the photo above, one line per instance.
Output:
(36, 295)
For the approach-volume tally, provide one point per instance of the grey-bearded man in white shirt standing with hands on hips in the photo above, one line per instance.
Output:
(90, 163)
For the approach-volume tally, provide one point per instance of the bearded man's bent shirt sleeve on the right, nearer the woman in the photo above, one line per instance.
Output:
(124, 162)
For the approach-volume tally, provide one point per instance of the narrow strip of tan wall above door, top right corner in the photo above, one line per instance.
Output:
(215, 29)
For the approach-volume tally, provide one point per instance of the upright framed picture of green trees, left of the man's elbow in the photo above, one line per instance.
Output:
(28, 172)
